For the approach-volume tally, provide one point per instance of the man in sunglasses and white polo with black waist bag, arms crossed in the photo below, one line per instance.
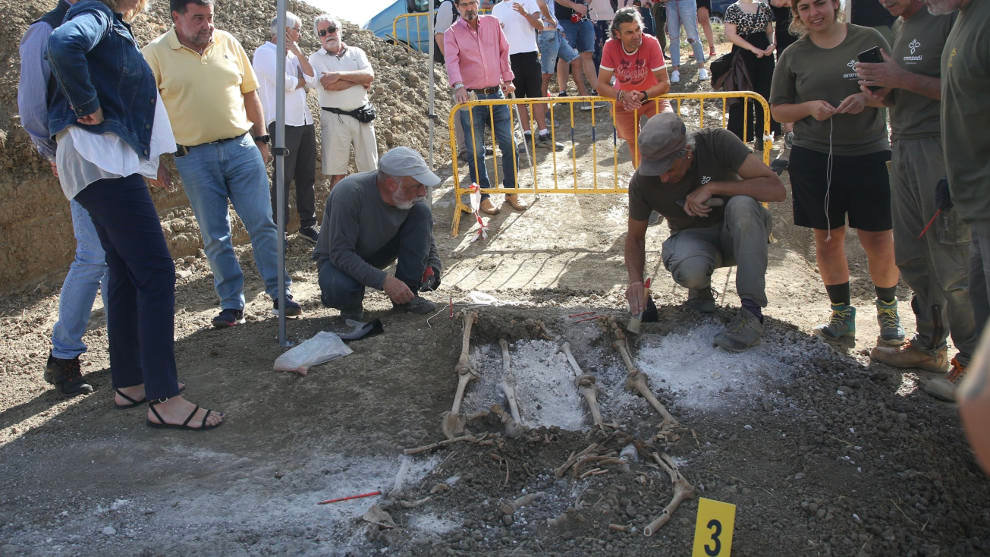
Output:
(345, 76)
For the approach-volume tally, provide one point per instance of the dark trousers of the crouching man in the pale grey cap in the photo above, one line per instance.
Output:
(411, 246)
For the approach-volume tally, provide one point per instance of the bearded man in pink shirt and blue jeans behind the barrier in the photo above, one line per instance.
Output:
(477, 58)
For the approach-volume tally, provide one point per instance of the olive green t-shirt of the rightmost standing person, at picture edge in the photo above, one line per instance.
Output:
(966, 111)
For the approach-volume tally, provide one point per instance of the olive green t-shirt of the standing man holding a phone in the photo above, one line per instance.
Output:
(917, 48)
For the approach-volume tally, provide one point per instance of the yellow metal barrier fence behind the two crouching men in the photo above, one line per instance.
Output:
(614, 185)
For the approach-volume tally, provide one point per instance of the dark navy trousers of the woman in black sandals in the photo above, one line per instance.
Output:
(141, 297)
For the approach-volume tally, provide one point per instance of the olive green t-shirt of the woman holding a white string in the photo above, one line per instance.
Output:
(806, 72)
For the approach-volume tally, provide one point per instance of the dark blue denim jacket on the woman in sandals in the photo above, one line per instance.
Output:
(97, 64)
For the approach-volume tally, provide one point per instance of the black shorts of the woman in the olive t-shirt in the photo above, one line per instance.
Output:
(860, 188)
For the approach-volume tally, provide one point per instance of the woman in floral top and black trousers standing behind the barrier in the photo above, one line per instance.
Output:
(749, 27)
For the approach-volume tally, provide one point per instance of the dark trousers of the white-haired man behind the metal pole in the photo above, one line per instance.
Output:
(300, 167)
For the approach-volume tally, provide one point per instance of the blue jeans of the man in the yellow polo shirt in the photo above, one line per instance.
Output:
(232, 169)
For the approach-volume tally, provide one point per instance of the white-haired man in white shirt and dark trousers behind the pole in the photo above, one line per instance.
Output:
(300, 135)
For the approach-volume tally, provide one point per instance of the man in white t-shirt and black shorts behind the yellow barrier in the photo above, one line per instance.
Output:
(519, 20)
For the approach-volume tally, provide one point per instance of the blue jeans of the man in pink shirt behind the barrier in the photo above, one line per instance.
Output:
(503, 135)
